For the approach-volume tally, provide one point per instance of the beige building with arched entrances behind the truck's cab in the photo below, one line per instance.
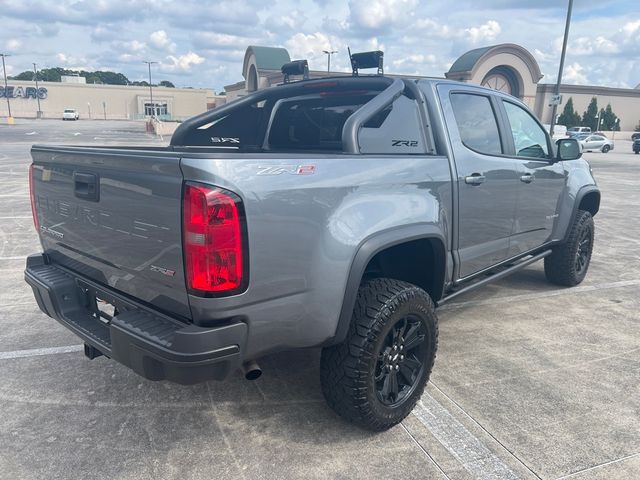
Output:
(507, 67)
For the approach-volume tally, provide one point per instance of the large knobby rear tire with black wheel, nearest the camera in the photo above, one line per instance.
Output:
(348, 370)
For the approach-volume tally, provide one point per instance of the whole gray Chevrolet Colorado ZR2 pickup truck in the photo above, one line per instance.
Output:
(333, 213)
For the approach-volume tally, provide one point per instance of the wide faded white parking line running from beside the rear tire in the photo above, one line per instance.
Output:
(474, 456)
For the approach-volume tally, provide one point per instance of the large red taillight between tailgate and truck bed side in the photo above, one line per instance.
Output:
(212, 239)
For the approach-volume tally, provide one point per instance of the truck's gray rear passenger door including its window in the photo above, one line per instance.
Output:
(487, 178)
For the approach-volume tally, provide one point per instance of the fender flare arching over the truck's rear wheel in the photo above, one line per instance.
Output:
(375, 244)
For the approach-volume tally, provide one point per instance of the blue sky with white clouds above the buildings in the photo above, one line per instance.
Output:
(201, 43)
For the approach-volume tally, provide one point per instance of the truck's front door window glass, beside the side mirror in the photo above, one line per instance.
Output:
(529, 137)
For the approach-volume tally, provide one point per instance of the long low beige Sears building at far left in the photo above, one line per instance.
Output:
(111, 102)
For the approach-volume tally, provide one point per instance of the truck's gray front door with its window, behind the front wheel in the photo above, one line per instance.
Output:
(541, 179)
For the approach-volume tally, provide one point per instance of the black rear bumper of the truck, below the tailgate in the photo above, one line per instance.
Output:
(152, 344)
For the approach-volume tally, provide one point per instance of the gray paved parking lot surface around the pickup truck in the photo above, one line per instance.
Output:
(531, 380)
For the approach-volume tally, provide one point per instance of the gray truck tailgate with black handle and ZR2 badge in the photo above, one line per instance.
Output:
(114, 216)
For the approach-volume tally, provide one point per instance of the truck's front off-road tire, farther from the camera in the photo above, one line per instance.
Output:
(563, 266)
